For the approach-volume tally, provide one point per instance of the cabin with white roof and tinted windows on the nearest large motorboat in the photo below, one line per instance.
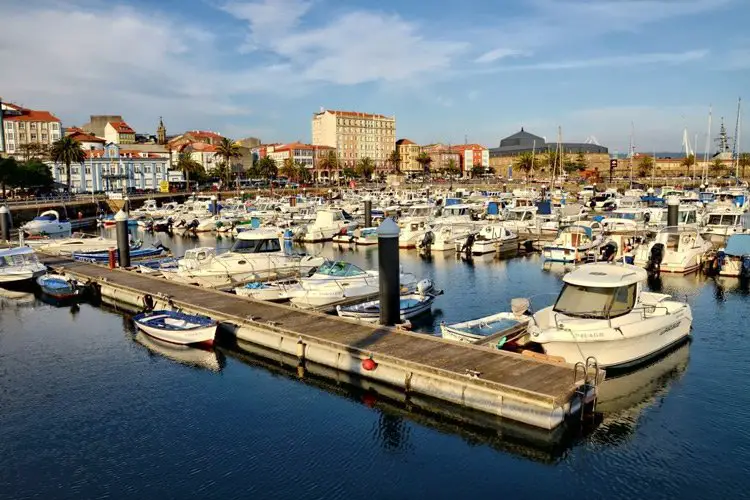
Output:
(600, 291)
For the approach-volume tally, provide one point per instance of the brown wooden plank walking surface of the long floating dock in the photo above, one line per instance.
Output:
(549, 383)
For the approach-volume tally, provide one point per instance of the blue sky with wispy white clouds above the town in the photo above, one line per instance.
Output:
(476, 69)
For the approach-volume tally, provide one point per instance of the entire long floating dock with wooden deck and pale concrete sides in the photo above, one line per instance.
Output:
(536, 392)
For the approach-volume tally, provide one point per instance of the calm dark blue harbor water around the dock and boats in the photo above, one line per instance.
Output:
(90, 408)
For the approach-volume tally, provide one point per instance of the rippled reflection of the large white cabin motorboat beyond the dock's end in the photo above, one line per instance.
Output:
(624, 398)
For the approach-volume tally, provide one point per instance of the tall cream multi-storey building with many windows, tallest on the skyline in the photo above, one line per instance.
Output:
(355, 136)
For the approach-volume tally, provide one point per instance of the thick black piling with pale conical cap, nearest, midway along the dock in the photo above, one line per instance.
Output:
(389, 273)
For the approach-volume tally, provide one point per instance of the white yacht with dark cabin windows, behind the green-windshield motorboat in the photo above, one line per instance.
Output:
(256, 255)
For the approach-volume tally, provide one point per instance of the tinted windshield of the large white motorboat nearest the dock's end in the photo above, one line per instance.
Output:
(595, 302)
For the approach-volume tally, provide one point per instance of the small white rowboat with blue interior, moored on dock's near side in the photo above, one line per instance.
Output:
(177, 327)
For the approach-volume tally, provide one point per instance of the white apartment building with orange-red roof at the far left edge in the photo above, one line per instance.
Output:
(27, 126)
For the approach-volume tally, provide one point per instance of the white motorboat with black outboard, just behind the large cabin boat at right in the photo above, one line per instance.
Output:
(673, 250)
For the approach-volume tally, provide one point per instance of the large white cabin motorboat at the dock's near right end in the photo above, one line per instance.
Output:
(604, 313)
